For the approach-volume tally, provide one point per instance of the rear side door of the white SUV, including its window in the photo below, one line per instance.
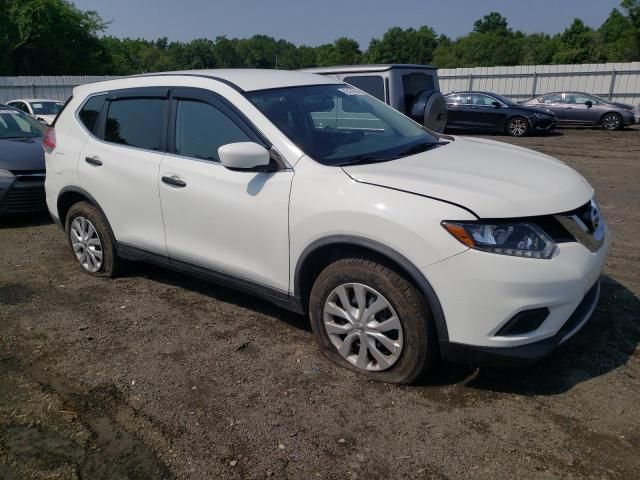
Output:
(120, 163)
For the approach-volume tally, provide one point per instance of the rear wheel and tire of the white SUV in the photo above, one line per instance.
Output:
(85, 219)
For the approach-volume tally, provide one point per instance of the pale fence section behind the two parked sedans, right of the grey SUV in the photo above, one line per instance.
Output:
(615, 81)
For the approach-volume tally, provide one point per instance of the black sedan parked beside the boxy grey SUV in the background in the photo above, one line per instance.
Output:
(488, 112)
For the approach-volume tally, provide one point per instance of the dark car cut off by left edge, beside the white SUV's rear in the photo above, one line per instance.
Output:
(22, 167)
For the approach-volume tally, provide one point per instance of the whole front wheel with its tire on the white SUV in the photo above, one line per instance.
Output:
(417, 335)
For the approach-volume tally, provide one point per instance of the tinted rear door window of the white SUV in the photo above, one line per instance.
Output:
(136, 122)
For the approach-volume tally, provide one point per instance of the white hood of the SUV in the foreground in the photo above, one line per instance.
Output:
(492, 179)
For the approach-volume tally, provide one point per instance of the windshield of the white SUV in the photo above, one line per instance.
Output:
(340, 125)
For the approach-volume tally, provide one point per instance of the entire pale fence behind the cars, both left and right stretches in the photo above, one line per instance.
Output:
(616, 81)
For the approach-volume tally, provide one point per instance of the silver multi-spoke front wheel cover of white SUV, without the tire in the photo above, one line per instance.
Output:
(363, 326)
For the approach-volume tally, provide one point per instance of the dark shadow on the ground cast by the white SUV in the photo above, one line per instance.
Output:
(603, 345)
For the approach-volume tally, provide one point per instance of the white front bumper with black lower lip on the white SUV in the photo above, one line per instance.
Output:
(481, 292)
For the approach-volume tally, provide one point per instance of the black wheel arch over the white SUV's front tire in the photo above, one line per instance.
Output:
(320, 253)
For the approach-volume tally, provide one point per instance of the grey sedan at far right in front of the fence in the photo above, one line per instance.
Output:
(574, 108)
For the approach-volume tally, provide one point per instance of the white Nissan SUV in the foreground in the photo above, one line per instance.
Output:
(402, 245)
